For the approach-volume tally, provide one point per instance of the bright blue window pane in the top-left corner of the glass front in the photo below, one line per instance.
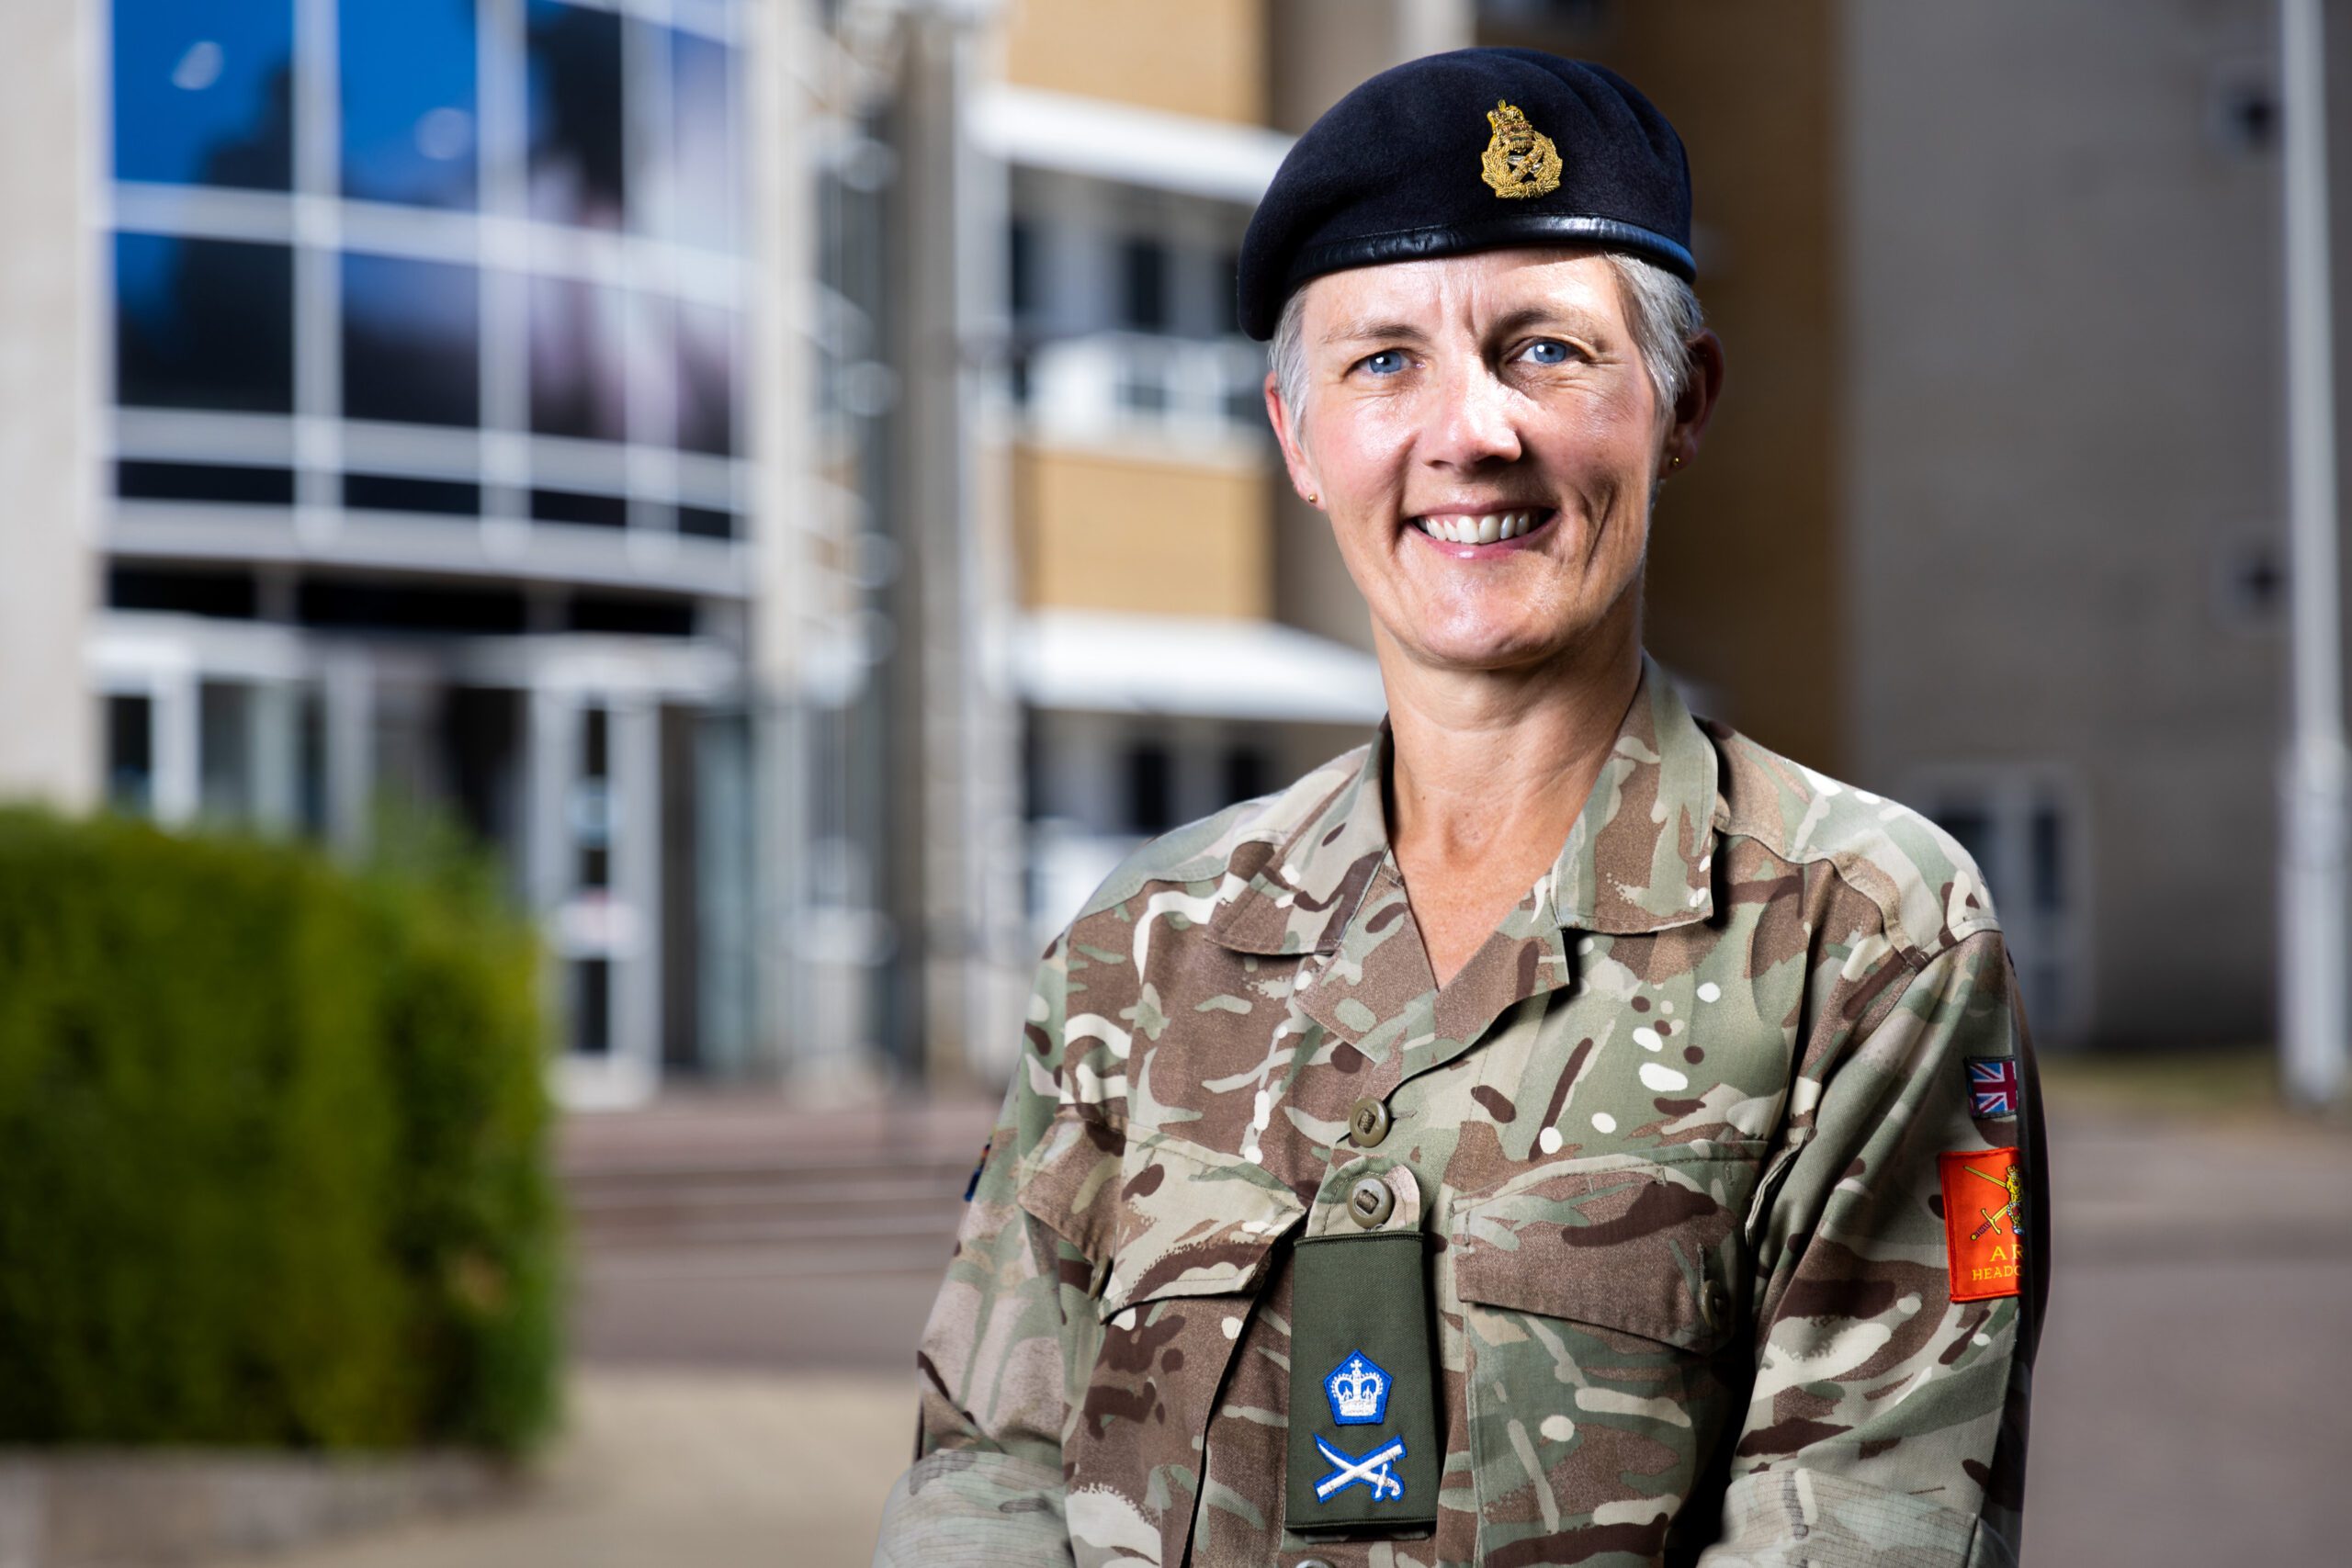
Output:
(206, 93)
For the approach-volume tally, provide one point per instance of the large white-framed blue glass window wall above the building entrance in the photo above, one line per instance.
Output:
(483, 253)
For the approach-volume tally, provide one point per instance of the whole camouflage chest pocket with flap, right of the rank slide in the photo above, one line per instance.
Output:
(1598, 1299)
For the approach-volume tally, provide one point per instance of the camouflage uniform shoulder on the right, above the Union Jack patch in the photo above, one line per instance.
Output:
(1923, 883)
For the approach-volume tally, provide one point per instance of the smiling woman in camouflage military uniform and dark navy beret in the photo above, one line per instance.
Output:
(1556, 1132)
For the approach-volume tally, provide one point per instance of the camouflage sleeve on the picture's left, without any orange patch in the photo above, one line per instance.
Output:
(987, 1485)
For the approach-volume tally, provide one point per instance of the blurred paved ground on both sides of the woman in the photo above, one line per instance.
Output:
(754, 1282)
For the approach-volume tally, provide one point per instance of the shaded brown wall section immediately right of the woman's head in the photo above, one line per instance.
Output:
(1744, 549)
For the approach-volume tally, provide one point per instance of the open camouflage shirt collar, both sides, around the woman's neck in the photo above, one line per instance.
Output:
(1636, 859)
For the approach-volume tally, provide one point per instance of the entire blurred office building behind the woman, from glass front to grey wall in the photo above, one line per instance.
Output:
(787, 474)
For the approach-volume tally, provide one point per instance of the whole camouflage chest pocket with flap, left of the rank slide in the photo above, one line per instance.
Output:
(1191, 1240)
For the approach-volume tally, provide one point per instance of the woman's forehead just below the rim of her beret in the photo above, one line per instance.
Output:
(1464, 293)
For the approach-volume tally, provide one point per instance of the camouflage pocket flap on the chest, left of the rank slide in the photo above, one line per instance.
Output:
(1194, 1224)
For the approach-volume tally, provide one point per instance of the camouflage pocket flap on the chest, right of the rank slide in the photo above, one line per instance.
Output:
(1624, 1242)
